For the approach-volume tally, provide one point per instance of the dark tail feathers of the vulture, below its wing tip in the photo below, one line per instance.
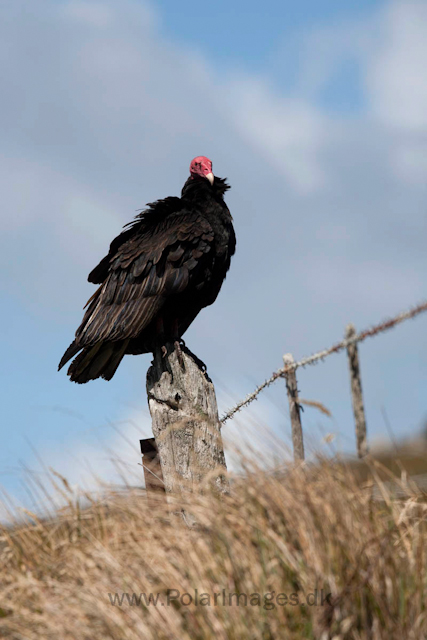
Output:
(101, 360)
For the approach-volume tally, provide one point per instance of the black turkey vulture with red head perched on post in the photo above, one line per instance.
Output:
(167, 264)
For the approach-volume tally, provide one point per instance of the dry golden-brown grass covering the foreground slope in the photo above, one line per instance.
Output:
(310, 528)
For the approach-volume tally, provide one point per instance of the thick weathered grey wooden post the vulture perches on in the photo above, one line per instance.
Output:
(185, 422)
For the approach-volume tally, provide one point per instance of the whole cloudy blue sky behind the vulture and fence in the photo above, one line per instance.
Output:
(317, 114)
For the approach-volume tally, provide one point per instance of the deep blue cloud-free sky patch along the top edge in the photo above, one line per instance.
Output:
(247, 34)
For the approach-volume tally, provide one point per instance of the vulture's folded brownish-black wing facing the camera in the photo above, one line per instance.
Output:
(151, 264)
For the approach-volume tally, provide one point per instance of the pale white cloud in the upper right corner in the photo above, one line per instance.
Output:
(396, 79)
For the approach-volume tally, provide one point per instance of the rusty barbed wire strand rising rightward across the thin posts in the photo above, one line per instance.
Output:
(320, 355)
